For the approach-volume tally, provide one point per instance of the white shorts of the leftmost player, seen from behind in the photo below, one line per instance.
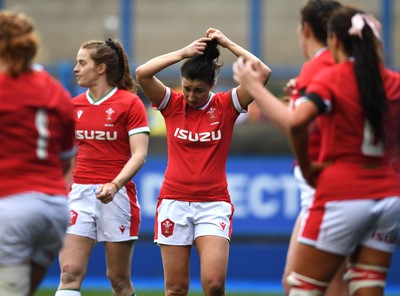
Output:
(33, 226)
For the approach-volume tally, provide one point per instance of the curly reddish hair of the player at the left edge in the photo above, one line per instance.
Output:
(18, 42)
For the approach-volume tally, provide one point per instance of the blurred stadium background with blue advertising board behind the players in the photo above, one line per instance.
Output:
(259, 169)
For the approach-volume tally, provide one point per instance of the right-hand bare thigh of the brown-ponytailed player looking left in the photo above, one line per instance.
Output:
(119, 258)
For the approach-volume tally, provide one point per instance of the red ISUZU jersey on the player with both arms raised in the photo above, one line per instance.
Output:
(198, 145)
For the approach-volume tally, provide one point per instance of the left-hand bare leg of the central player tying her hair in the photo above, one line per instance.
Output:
(176, 265)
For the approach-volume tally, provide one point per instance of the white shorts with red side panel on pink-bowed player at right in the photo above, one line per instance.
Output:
(340, 226)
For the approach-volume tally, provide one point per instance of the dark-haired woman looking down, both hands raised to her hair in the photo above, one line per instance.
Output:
(194, 205)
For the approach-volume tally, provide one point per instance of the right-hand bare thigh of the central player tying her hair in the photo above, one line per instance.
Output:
(214, 255)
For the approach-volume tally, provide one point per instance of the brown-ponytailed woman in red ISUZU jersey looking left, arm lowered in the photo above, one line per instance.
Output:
(112, 134)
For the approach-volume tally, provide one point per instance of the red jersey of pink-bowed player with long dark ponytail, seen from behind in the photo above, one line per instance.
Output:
(361, 166)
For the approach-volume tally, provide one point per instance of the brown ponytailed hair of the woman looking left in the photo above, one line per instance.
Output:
(114, 57)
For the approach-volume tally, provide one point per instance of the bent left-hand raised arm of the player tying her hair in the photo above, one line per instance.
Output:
(153, 88)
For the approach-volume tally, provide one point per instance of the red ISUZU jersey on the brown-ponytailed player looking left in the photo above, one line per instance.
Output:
(102, 130)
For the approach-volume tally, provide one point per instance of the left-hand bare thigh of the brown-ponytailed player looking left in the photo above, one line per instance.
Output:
(75, 253)
